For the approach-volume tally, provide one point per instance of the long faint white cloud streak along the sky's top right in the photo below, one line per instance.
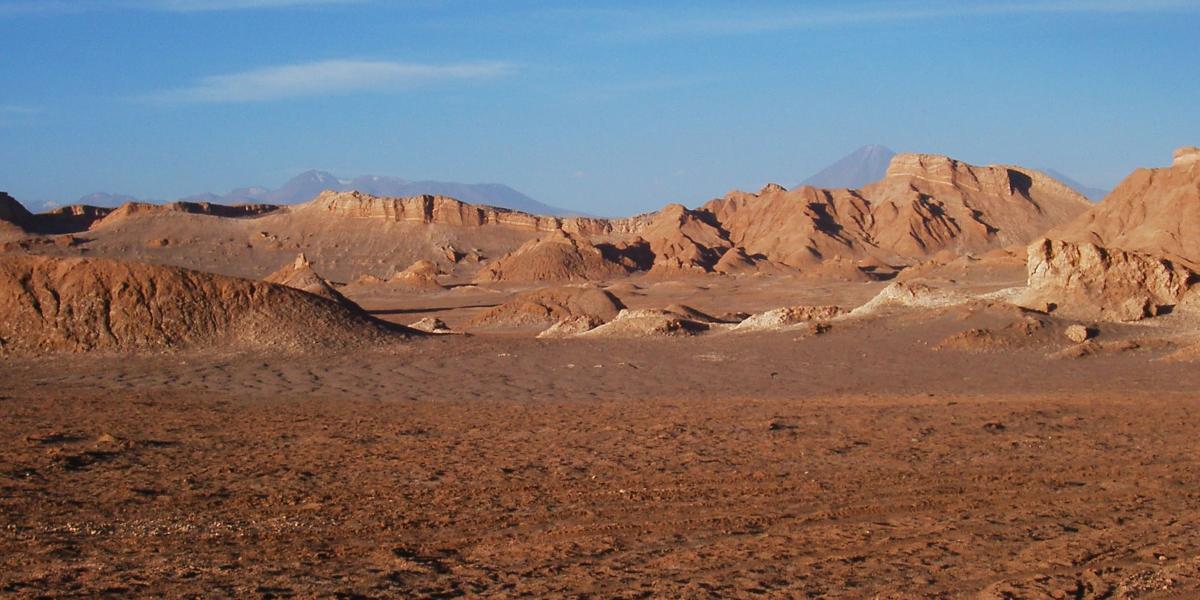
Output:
(747, 20)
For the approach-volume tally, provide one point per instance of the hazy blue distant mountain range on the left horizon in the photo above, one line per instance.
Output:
(309, 184)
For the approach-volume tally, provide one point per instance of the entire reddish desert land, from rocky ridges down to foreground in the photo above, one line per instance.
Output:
(956, 381)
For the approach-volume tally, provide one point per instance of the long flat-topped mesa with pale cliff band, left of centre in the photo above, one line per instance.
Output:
(445, 211)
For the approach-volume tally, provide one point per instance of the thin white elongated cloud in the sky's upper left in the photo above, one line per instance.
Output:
(327, 79)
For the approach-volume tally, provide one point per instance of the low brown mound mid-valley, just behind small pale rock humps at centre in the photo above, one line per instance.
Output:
(551, 305)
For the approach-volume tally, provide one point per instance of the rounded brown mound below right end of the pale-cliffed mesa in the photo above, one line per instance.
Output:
(559, 256)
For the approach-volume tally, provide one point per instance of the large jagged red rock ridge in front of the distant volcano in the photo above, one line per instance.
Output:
(925, 206)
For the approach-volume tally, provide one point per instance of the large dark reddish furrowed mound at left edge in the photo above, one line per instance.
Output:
(55, 305)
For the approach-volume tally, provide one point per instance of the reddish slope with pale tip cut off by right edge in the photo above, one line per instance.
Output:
(1154, 212)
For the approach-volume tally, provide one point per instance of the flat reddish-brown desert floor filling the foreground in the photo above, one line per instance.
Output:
(860, 464)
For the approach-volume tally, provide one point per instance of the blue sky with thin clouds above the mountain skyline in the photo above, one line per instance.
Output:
(605, 107)
